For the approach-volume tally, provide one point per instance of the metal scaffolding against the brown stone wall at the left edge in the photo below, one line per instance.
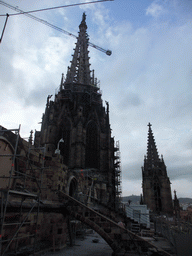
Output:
(20, 194)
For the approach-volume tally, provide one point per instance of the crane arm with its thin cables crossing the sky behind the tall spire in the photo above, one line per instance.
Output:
(108, 52)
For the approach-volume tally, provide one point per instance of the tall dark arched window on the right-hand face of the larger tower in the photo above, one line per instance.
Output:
(91, 154)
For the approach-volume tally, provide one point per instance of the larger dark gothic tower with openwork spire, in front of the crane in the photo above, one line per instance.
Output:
(77, 124)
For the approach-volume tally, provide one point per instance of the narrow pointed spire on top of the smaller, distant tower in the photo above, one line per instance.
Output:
(152, 154)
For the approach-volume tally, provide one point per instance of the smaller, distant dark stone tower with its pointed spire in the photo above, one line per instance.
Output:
(156, 184)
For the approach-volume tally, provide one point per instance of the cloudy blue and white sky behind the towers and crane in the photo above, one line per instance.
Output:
(148, 77)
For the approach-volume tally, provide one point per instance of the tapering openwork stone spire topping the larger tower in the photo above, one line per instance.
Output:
(79, 72)
